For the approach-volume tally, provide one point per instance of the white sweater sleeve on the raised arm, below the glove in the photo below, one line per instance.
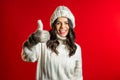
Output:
(31, 54)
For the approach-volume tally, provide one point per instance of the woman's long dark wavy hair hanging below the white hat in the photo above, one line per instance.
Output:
(53, 42)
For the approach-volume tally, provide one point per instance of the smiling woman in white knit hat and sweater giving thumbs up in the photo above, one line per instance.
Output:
(58, 56)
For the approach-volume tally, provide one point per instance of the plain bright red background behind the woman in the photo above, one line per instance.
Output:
(97, 29)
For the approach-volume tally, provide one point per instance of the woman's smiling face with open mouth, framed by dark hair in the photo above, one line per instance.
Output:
(62, 26)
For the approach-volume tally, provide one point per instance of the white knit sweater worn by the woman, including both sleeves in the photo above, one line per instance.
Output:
(55, 67)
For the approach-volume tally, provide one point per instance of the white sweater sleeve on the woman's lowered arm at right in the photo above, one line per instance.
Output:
(78, 65)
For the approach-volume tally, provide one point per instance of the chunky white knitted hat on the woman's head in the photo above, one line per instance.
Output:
(62, 11)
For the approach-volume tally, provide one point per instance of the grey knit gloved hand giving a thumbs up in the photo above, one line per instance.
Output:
(39, 35)
